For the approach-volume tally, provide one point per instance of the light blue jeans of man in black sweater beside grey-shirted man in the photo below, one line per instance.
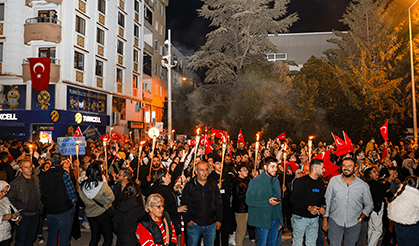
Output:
(304, 226)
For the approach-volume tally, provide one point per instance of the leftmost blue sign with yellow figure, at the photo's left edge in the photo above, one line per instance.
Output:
(12, 97)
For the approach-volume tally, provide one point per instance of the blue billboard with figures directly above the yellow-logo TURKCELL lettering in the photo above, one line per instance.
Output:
(81, 100)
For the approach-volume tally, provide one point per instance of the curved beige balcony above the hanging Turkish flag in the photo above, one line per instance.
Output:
(47, 29)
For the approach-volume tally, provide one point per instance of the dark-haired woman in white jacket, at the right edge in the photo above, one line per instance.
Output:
(404, 211)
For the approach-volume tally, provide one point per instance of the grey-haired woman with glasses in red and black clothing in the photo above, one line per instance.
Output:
(156, 227)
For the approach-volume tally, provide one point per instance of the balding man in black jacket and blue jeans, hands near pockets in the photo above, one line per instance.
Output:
(205, 212)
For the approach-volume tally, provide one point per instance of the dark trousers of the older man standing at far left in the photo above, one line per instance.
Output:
(26, 230)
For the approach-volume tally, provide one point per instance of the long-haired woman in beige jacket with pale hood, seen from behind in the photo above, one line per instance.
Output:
(98, 198)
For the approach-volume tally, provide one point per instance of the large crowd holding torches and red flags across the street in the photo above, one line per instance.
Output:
(129, 194)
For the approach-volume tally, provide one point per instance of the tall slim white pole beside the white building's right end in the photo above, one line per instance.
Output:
(169, 66)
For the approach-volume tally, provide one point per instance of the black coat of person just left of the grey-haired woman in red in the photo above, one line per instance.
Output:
(127, 215)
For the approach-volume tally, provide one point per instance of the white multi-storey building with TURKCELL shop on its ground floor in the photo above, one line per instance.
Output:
(97, 51)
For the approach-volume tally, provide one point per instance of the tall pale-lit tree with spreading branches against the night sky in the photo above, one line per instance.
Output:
(241, 32)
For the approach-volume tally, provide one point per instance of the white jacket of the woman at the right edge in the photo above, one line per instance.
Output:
(405, 208)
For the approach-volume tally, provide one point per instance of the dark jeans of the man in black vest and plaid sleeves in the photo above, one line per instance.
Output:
(60, 223)
